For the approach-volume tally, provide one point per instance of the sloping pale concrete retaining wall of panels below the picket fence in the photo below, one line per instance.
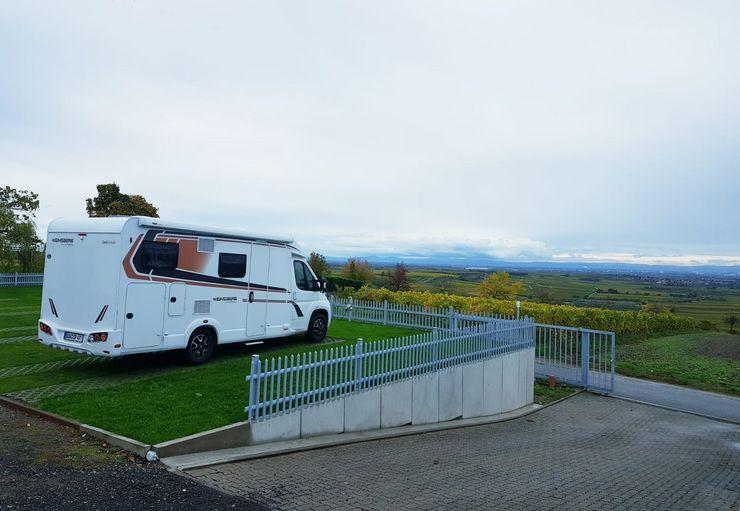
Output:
(478, 389)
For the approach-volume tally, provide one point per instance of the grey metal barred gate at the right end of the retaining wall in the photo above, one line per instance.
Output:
(577, 356)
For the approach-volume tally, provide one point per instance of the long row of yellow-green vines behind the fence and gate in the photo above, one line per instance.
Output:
(621, 322)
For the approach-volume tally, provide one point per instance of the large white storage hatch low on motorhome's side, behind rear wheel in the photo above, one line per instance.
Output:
(144, 318)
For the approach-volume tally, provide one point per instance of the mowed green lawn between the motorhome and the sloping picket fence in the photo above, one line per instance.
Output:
(188, 400)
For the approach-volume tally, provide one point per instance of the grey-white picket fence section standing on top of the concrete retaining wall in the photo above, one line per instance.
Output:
(283, 384)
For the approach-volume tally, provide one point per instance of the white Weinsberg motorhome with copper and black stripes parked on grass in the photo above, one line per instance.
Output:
(122, 285)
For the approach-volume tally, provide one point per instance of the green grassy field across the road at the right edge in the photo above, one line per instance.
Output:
(707, 360)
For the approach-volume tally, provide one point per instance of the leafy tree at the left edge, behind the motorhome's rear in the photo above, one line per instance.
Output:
(19, 245)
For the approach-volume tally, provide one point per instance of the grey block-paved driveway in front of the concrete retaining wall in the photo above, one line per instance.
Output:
(588, 452)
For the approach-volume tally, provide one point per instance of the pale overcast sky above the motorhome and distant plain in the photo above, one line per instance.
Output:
(600, 131)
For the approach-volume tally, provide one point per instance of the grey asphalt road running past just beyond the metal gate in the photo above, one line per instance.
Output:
(663, 394)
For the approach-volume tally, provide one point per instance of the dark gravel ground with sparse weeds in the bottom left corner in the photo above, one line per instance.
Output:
(51, 467)
